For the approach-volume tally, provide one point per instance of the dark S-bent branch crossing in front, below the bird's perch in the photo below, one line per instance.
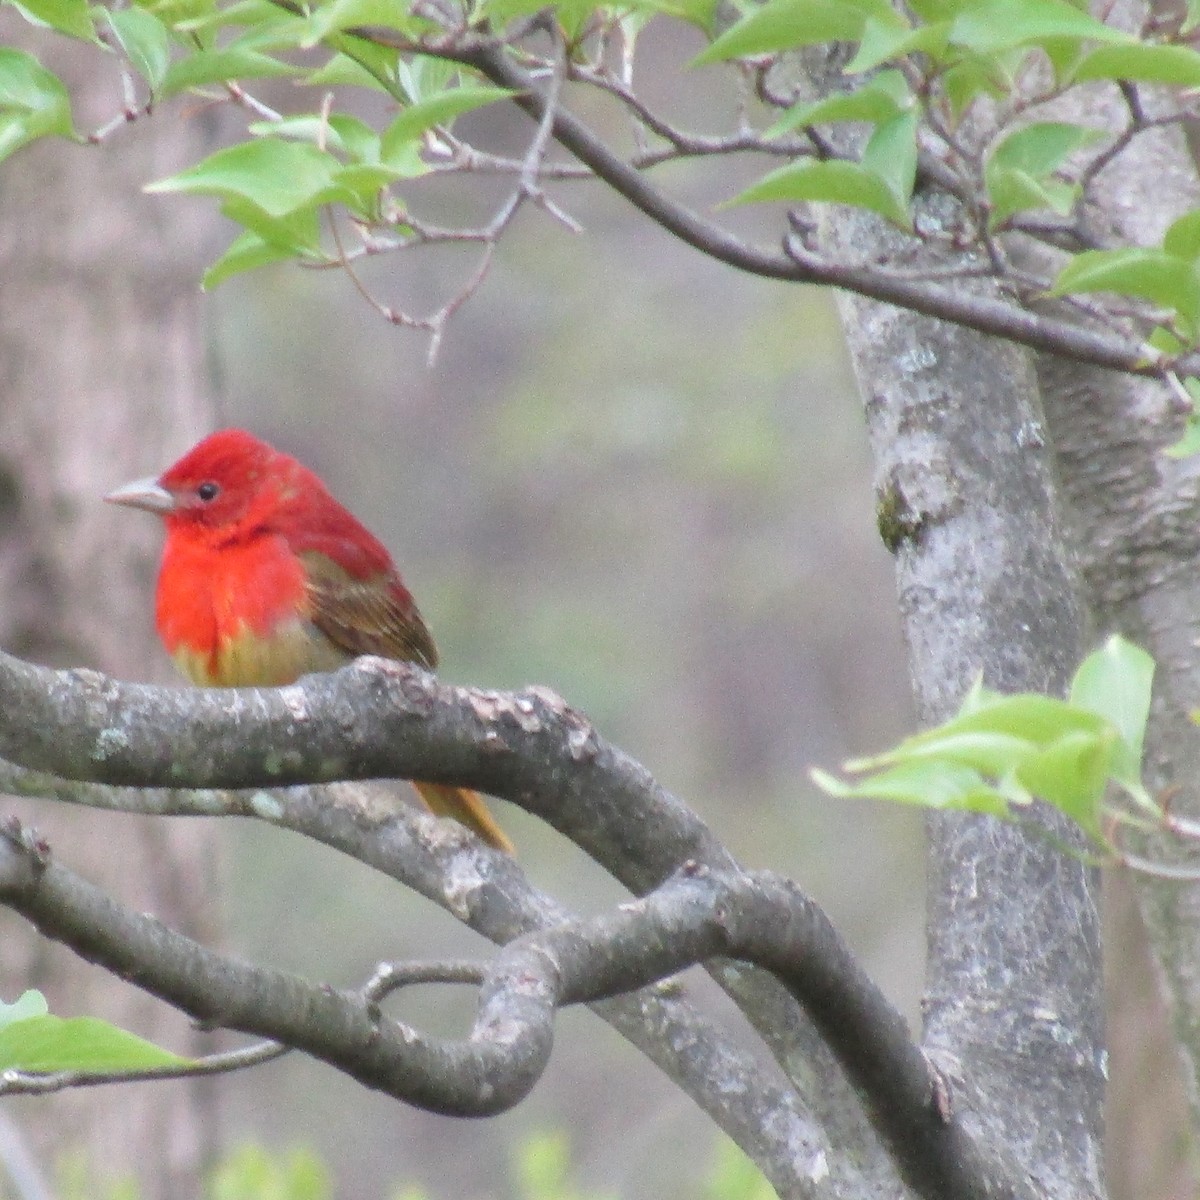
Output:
(692, 919)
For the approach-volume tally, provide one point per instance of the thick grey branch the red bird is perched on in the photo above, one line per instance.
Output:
(375, 719)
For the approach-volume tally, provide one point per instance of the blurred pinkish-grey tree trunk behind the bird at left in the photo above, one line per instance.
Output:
(103, 357)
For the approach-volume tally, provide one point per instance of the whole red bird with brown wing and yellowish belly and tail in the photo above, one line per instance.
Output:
(267, 578)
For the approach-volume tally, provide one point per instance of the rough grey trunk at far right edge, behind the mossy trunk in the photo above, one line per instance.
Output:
(1136, 518)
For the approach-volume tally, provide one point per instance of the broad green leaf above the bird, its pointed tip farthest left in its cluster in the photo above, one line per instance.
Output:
(277, 177)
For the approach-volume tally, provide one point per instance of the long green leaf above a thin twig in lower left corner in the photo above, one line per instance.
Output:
(47, 1043)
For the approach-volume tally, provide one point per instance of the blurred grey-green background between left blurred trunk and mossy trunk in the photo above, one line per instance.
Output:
(639, 478)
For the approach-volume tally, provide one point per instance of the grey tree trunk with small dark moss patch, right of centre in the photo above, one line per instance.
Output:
(988, 586)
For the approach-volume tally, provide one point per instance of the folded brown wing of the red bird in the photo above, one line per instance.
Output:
(375, 616)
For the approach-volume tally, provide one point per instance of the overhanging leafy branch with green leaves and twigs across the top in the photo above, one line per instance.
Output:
(962, 97)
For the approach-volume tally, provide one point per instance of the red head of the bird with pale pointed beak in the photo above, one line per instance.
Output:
(219, 484)
